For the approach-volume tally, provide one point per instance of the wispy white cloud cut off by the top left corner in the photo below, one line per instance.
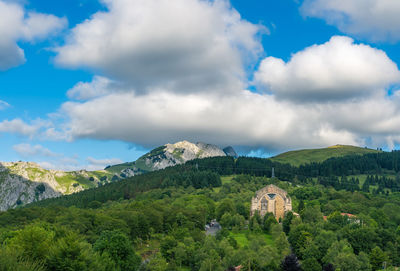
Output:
(17, 25)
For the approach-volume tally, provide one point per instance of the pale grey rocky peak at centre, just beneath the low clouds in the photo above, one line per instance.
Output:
(169, 155)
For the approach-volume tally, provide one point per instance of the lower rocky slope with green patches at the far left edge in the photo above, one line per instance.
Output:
(26, 182)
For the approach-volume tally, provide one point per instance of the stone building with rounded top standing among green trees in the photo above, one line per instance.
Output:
(271, 199)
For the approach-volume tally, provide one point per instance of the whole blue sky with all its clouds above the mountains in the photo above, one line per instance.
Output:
(89, 83)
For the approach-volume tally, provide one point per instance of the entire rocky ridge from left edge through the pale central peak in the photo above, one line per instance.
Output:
(26, 182)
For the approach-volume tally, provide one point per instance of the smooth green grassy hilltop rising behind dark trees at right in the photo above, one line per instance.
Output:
(297, 158)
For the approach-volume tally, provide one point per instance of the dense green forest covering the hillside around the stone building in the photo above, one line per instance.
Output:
(349, 220)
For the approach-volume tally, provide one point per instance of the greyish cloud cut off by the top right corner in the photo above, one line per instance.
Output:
(372, 19)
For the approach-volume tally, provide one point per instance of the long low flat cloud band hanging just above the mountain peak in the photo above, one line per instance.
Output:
(244, 119)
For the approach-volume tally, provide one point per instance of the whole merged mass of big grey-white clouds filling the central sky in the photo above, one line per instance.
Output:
(173, 70)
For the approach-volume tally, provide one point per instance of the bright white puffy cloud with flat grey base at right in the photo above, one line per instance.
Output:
(336, 70)
